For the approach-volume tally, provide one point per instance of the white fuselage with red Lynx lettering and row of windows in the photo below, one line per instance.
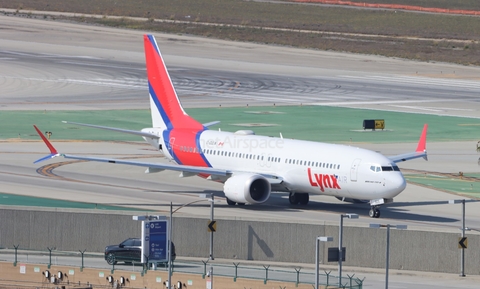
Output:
(304, 166)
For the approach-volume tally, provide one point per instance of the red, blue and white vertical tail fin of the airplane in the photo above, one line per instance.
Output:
(166, 110)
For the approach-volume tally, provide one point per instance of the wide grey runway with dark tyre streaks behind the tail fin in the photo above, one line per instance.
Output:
(98, 68)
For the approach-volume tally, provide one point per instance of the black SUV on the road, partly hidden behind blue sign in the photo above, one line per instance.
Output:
(129, 251)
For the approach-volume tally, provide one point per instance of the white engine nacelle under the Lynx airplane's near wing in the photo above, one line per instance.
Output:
(247, 188)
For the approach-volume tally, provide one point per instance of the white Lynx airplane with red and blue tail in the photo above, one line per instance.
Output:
(251, 166)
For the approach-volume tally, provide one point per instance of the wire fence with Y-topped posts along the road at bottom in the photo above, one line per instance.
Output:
(234, 271)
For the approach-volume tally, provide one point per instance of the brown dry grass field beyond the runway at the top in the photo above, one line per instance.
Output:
(410, 35)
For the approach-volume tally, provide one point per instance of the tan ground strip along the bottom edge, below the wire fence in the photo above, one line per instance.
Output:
(33, 276)
